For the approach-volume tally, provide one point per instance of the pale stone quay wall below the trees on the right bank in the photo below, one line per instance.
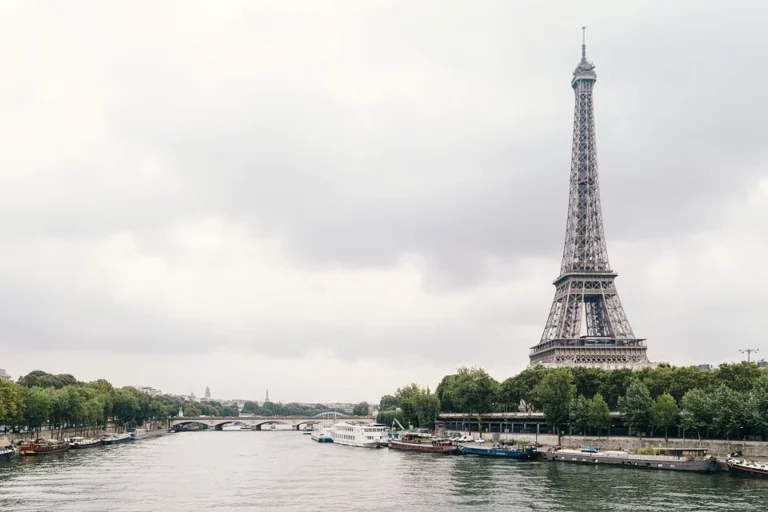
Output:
(716, 447)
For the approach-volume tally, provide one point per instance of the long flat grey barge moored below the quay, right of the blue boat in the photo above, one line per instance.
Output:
(675, 459)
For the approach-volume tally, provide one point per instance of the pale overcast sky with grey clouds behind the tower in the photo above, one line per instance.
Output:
(332, 199)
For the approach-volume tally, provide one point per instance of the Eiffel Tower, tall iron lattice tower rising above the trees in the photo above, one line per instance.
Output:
(585, 291)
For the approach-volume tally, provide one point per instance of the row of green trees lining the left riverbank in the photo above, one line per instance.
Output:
(40, 399)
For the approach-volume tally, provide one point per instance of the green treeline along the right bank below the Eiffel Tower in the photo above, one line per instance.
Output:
(730, 400)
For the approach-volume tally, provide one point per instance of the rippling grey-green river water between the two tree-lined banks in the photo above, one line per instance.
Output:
(241, 471)
